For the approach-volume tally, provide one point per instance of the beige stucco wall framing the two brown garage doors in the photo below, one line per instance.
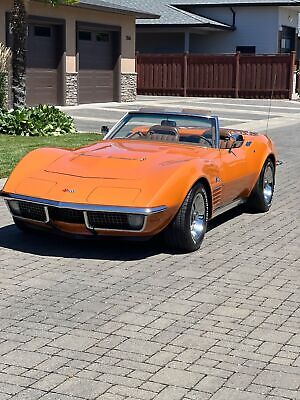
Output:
(73, 14)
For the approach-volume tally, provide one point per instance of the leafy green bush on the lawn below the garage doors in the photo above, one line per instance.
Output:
(43, 120)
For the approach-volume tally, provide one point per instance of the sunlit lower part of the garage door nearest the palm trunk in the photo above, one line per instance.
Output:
(42, 86)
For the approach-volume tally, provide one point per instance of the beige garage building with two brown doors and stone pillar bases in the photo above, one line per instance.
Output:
(78, 54)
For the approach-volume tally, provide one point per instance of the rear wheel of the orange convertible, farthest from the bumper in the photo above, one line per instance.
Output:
(261, 196)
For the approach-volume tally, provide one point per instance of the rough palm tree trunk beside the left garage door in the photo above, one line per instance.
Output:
(19, 25)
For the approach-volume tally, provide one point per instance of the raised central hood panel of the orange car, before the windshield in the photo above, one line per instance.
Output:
(120, 159)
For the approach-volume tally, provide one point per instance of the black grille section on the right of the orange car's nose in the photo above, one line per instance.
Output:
(109, 220)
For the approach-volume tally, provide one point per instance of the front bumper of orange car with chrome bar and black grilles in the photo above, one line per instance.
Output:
(83, 218)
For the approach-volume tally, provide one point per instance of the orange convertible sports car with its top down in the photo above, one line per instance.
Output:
(154, 172)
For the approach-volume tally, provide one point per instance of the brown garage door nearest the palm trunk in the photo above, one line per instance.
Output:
(44, 55)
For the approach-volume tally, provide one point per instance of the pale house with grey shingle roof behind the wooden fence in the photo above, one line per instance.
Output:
(215, 26)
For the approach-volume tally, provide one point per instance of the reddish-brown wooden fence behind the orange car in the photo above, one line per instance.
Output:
(232, 75)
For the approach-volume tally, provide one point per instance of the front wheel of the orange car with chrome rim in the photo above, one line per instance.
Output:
(187, 230)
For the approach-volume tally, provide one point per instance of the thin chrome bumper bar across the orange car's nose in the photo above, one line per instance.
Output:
(85, 207)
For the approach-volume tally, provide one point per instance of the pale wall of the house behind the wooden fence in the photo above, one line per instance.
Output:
(255, 26)
